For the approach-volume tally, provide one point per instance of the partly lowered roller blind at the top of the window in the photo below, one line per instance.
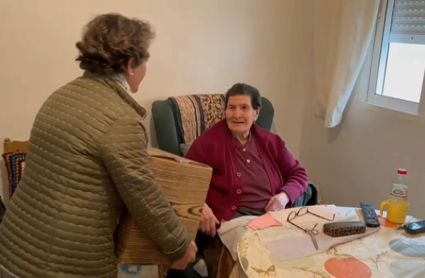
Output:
(408, 17)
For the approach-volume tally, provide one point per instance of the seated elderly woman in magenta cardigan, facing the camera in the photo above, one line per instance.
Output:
(253, 171)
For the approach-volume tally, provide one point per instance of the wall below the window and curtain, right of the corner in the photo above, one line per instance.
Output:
(357, 160)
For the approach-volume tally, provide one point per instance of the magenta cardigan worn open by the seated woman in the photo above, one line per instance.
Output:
(215, 148)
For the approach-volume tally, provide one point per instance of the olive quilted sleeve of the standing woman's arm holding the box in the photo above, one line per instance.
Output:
(124, 152)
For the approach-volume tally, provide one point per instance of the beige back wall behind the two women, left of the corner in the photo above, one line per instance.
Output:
(201, 46)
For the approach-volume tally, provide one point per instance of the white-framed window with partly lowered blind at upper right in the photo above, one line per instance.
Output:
(398, 62)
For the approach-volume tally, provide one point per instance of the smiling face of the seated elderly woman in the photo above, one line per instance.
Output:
(240, 115)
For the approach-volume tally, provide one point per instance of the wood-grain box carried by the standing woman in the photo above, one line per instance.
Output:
(186, 184)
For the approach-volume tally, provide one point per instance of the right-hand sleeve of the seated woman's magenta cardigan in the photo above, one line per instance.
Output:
(295, 180)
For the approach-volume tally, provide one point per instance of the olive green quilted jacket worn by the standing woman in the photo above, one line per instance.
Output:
(87, 160)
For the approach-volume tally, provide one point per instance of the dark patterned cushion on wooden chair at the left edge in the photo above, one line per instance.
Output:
(15, 164)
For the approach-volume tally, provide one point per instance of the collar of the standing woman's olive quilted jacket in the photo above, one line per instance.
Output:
(121, 90)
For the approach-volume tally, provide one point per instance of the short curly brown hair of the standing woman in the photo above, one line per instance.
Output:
(110, 40)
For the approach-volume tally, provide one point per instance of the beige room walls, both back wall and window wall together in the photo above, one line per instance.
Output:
(206, 46)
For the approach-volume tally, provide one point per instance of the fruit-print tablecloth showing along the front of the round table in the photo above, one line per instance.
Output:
(386, 253)
